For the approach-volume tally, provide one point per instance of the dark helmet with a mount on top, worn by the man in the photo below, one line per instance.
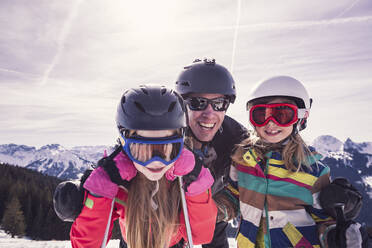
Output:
(206, 77)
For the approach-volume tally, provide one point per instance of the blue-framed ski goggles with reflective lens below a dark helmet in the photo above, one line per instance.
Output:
(144, 150)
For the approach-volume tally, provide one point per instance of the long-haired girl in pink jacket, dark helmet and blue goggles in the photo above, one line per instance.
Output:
(136, 184)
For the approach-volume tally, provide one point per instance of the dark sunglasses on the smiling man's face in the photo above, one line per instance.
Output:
(201, 103)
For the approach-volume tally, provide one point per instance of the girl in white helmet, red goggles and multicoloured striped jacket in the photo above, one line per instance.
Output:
(276, 177)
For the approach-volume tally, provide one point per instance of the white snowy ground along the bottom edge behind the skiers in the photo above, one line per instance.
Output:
(6, 241)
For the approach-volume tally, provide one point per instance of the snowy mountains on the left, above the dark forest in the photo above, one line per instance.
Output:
(54, 159)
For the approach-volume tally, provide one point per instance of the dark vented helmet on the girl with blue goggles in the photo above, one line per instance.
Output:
(150, 107)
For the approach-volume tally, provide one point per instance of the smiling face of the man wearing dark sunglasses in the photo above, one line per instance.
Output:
(205, 123)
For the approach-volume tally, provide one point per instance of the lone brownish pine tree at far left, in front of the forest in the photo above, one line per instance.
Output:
(13, 220)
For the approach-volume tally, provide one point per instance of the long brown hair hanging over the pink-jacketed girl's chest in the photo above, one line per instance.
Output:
(146, 226)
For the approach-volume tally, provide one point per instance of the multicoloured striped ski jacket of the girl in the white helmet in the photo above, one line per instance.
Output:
(279, 208)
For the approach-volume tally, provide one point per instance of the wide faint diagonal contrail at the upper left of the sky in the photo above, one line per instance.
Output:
(61, 40)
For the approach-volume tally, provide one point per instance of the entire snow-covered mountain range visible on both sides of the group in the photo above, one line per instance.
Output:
(346, 159)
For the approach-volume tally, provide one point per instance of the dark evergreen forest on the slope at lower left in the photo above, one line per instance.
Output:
(26, 205)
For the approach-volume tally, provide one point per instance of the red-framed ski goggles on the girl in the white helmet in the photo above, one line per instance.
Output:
(282, 114)
